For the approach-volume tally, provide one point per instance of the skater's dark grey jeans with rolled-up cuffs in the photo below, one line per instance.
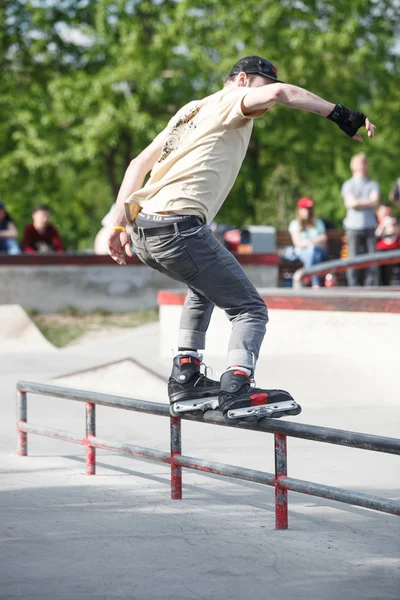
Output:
(214, 277)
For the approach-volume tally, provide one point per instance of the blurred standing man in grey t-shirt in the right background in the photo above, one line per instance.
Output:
(361, 197)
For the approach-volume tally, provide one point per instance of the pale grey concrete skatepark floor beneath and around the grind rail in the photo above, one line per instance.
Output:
(118, 535)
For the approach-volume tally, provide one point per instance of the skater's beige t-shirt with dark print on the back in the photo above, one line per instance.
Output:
(206, 143)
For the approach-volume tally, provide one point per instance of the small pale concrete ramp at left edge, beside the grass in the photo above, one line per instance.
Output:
(18, 333)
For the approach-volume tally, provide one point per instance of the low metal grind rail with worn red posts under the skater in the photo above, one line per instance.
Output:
(281, 429)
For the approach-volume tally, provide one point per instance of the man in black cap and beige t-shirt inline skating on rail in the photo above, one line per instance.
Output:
(194, 163)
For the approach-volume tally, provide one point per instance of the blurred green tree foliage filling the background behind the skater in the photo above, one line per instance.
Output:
(87, 85)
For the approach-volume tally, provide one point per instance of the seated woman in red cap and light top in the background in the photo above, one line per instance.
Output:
(309, 237)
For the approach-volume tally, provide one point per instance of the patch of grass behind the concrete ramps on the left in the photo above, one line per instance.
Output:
(64, 327)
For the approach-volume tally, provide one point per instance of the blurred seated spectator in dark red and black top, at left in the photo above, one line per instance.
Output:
(40, 235)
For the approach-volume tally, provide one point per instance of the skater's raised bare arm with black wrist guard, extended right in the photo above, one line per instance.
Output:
(262, 98)
